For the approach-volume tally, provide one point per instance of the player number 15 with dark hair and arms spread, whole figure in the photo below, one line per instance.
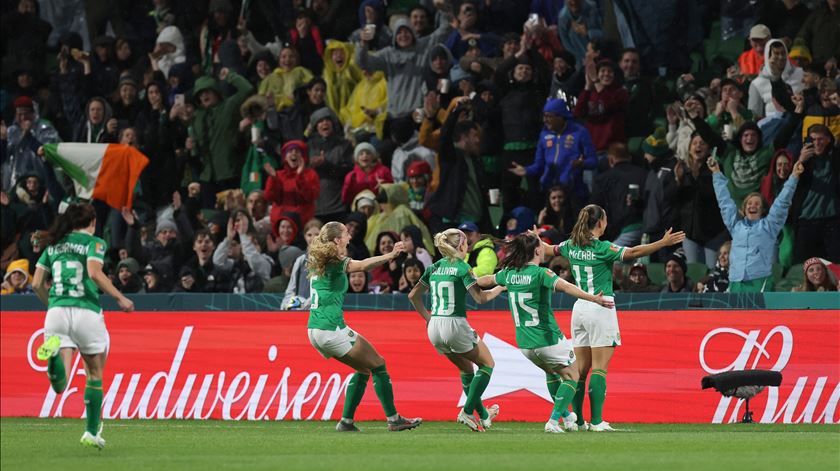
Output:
(537, 335)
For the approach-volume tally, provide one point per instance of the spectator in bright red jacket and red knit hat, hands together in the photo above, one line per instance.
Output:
(293, 188)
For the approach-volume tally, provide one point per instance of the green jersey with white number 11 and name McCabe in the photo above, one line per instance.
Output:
(592, 265)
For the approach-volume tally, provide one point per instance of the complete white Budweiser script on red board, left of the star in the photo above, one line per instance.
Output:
(183, 395)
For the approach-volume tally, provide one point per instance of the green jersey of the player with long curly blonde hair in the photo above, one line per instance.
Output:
(327, 297)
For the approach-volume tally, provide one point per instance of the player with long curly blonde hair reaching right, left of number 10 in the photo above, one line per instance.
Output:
(328, 266)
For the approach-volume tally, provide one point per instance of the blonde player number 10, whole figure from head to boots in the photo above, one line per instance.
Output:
(449, 279)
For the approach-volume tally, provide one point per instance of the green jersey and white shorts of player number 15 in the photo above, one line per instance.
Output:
(529, 293)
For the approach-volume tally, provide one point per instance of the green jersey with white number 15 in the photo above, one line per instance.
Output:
(529, 294)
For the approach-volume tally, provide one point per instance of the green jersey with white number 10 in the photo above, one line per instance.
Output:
(449, 282)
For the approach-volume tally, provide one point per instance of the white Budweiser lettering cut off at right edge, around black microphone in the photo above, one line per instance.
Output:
(752, 352)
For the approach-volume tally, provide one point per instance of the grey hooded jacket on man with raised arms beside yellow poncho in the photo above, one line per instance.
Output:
(403, 67)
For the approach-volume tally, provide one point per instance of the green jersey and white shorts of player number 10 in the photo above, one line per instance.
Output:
(448, 329)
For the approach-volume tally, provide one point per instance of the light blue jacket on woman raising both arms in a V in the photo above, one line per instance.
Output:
(753, 242)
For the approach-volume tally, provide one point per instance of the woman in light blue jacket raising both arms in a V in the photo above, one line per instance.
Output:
(754, 231)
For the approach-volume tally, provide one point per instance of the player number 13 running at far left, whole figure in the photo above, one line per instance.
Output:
(74, 258)
